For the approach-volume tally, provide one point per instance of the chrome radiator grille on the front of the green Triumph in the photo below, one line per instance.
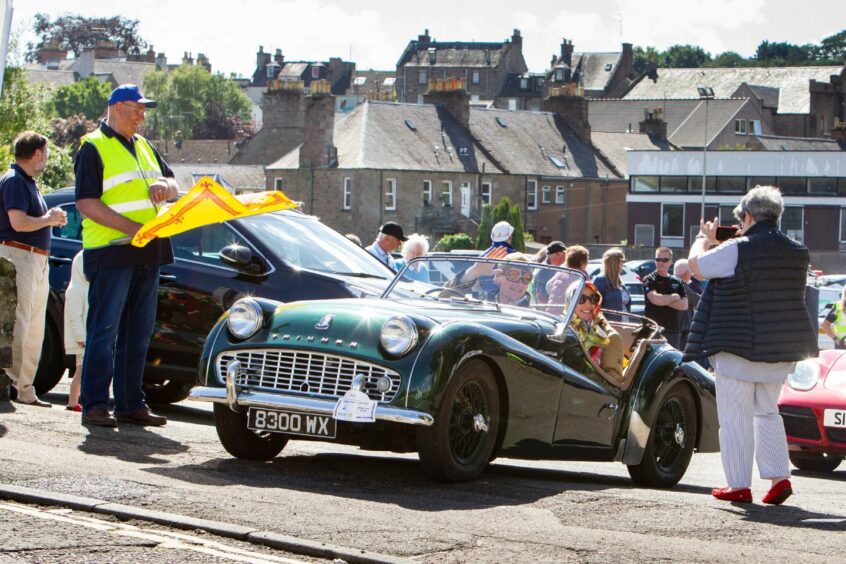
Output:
(305, 372)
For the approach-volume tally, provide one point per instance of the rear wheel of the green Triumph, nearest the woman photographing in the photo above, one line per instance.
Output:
(670, 444)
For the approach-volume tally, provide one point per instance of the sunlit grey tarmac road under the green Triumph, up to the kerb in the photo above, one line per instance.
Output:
(382, 502)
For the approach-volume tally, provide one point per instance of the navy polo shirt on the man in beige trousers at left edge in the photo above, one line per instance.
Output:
(18, 191)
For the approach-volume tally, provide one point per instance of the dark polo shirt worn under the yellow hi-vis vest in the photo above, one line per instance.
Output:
(88, 167)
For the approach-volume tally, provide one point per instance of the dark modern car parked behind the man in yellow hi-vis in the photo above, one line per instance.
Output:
(287, 256)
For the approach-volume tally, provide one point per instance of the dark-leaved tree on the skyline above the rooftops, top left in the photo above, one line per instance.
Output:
(74, 33)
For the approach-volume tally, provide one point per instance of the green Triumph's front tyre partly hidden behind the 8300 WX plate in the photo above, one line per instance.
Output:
(241, 442)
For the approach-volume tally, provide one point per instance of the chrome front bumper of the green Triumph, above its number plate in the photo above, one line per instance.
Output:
(237, 398)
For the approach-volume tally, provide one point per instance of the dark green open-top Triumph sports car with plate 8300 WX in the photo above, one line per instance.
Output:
(446, 370)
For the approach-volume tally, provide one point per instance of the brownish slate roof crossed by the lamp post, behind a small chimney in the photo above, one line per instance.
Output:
(685, 118)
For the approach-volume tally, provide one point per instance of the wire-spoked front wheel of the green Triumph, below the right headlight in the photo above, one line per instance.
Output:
(459, 445)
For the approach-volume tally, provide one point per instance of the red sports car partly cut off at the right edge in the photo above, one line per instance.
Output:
(813, 406)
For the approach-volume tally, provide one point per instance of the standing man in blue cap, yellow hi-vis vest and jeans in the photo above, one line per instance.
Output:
(120, 182)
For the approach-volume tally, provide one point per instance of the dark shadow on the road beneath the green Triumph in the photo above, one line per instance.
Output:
(395, 480)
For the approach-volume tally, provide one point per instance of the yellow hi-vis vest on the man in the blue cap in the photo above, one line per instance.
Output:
(126, 181)
